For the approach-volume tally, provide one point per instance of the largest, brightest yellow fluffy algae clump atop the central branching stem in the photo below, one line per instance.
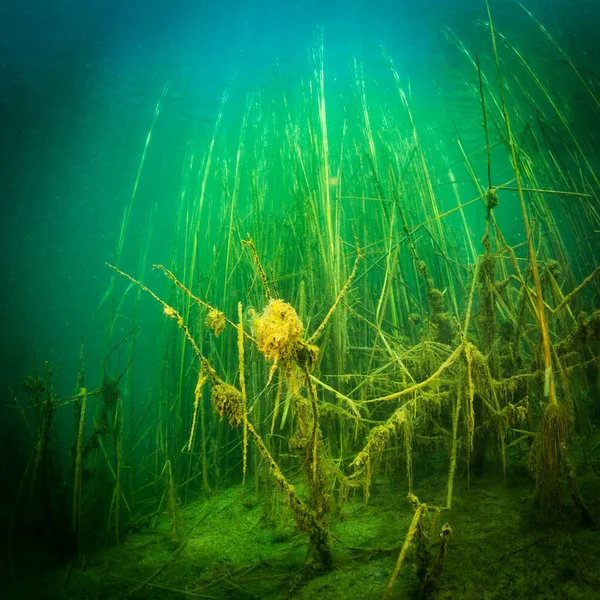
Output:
(278, 330)
